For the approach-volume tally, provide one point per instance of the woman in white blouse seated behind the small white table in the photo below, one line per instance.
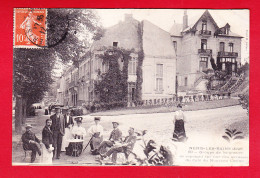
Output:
(78, 132)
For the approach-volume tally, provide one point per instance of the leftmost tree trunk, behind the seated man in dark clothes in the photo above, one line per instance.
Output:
(18, 115)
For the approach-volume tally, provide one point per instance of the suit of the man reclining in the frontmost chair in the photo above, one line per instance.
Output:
(127, 149)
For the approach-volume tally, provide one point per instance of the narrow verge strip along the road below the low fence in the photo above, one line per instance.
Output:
(164, 109)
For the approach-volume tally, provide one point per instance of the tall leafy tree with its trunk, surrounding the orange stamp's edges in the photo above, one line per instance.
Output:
(70, 33)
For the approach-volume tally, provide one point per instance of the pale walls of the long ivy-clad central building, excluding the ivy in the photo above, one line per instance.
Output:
(158, 68)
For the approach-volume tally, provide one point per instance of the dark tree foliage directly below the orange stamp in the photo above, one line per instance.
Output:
(32, 74)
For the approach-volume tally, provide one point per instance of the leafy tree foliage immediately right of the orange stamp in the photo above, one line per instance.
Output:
(71, 32)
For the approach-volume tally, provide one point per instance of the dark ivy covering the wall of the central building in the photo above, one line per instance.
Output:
(112, 87)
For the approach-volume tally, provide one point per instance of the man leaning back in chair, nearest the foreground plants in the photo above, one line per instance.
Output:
(126, 147)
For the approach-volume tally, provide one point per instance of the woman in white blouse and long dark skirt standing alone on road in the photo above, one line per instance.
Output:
(178, 121)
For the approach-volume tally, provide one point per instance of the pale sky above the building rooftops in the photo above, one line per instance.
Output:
(165, 18)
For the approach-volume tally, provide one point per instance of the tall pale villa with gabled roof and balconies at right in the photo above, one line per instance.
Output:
(195, 44)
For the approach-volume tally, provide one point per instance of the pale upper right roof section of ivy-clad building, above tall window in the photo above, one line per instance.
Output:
(156, 41)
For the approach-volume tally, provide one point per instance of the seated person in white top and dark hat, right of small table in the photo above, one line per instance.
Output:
(96, 132)
